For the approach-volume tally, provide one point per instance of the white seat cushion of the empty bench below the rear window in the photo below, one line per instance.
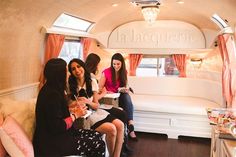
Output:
(172, 104)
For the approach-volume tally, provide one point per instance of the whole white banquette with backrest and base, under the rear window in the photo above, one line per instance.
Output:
(174, 106)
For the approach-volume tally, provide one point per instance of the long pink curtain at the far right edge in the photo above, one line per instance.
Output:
(228, 55)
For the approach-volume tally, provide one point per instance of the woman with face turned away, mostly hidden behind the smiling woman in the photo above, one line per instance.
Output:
(92, 62)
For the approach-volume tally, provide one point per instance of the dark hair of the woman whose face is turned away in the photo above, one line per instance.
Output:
(92, 62)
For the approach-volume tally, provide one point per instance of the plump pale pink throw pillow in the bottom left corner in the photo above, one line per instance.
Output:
(14, 139)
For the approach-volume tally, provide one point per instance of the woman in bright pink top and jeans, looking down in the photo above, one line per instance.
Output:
(114, 79)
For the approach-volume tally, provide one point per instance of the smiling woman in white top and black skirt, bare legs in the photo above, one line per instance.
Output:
(85, 89)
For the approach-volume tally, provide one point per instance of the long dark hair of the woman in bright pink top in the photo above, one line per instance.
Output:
(122, 72)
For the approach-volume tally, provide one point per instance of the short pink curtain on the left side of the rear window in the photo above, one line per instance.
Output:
(134, 60)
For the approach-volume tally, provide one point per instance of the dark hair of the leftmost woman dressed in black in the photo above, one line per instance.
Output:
(55, 74)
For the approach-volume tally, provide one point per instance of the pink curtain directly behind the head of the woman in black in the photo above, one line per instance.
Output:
(53, 47)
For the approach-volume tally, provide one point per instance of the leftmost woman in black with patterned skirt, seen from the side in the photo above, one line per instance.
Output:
(54, 133)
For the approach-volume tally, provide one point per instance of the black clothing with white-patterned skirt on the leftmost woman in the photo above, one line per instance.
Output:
(52, 138)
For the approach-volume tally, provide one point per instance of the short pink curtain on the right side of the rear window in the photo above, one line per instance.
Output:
(180, 63)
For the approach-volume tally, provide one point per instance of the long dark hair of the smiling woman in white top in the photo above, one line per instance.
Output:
(73, 84)
